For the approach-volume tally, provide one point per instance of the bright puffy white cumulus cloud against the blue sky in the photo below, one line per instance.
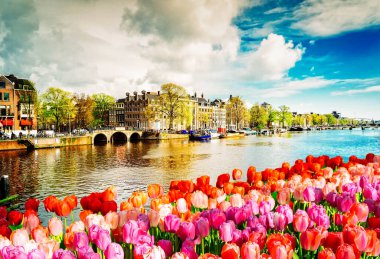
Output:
(273, 58)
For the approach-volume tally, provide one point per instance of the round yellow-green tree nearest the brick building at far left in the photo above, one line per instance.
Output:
(57, 104)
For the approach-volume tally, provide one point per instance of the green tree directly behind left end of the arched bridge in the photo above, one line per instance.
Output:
(102, 104)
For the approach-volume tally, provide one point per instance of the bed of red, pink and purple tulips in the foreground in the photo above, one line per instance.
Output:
(318, 208)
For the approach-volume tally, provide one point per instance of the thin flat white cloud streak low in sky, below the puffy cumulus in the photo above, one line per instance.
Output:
(292, 87)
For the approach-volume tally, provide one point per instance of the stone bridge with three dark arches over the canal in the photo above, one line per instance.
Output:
(111, 136)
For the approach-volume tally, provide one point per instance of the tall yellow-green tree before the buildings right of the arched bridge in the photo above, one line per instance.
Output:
(170, 102)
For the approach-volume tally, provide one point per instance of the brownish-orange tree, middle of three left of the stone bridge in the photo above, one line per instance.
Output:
(84, 105)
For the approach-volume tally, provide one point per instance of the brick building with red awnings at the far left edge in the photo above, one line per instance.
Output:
(17, 98)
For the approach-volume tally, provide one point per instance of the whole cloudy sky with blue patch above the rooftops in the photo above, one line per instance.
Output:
(312, 55)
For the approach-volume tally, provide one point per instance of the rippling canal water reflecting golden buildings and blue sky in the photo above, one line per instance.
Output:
(132, 166)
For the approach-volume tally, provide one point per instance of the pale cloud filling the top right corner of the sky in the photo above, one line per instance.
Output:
(330, 17)
